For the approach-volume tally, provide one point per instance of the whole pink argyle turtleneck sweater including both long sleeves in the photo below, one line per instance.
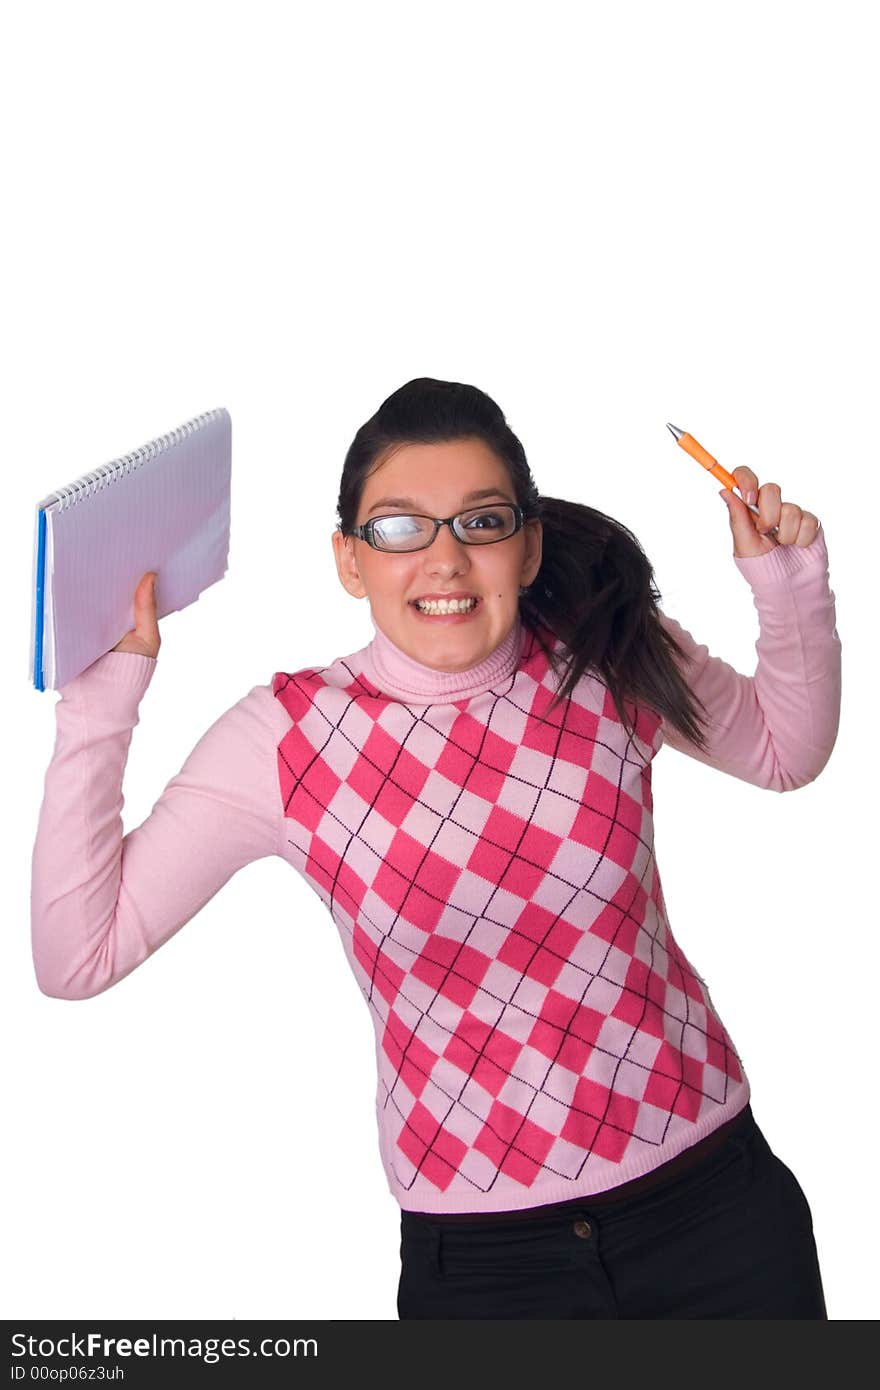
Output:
(490, 869)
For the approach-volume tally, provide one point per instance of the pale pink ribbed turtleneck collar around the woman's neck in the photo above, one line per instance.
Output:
(401, 676)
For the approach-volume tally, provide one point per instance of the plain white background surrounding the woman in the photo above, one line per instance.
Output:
(604, 216)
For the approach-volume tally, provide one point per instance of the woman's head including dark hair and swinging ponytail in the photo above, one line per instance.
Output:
(569, 571)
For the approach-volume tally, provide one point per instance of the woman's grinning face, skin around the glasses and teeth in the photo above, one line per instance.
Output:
(439, 479)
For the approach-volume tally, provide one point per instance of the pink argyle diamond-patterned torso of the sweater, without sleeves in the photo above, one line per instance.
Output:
(490, 868)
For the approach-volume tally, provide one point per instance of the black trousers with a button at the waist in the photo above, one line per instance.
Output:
(731, 1236)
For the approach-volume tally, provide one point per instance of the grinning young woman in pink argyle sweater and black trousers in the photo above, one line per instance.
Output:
(564, 1117)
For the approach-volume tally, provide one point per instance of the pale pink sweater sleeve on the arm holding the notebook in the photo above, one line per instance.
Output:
(101, 901)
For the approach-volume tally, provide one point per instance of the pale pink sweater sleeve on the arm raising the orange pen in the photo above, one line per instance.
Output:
(778, 728)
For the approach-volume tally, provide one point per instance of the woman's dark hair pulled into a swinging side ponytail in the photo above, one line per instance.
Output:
(596, 587)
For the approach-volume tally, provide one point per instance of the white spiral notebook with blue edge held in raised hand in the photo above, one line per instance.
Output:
(165, 508)
